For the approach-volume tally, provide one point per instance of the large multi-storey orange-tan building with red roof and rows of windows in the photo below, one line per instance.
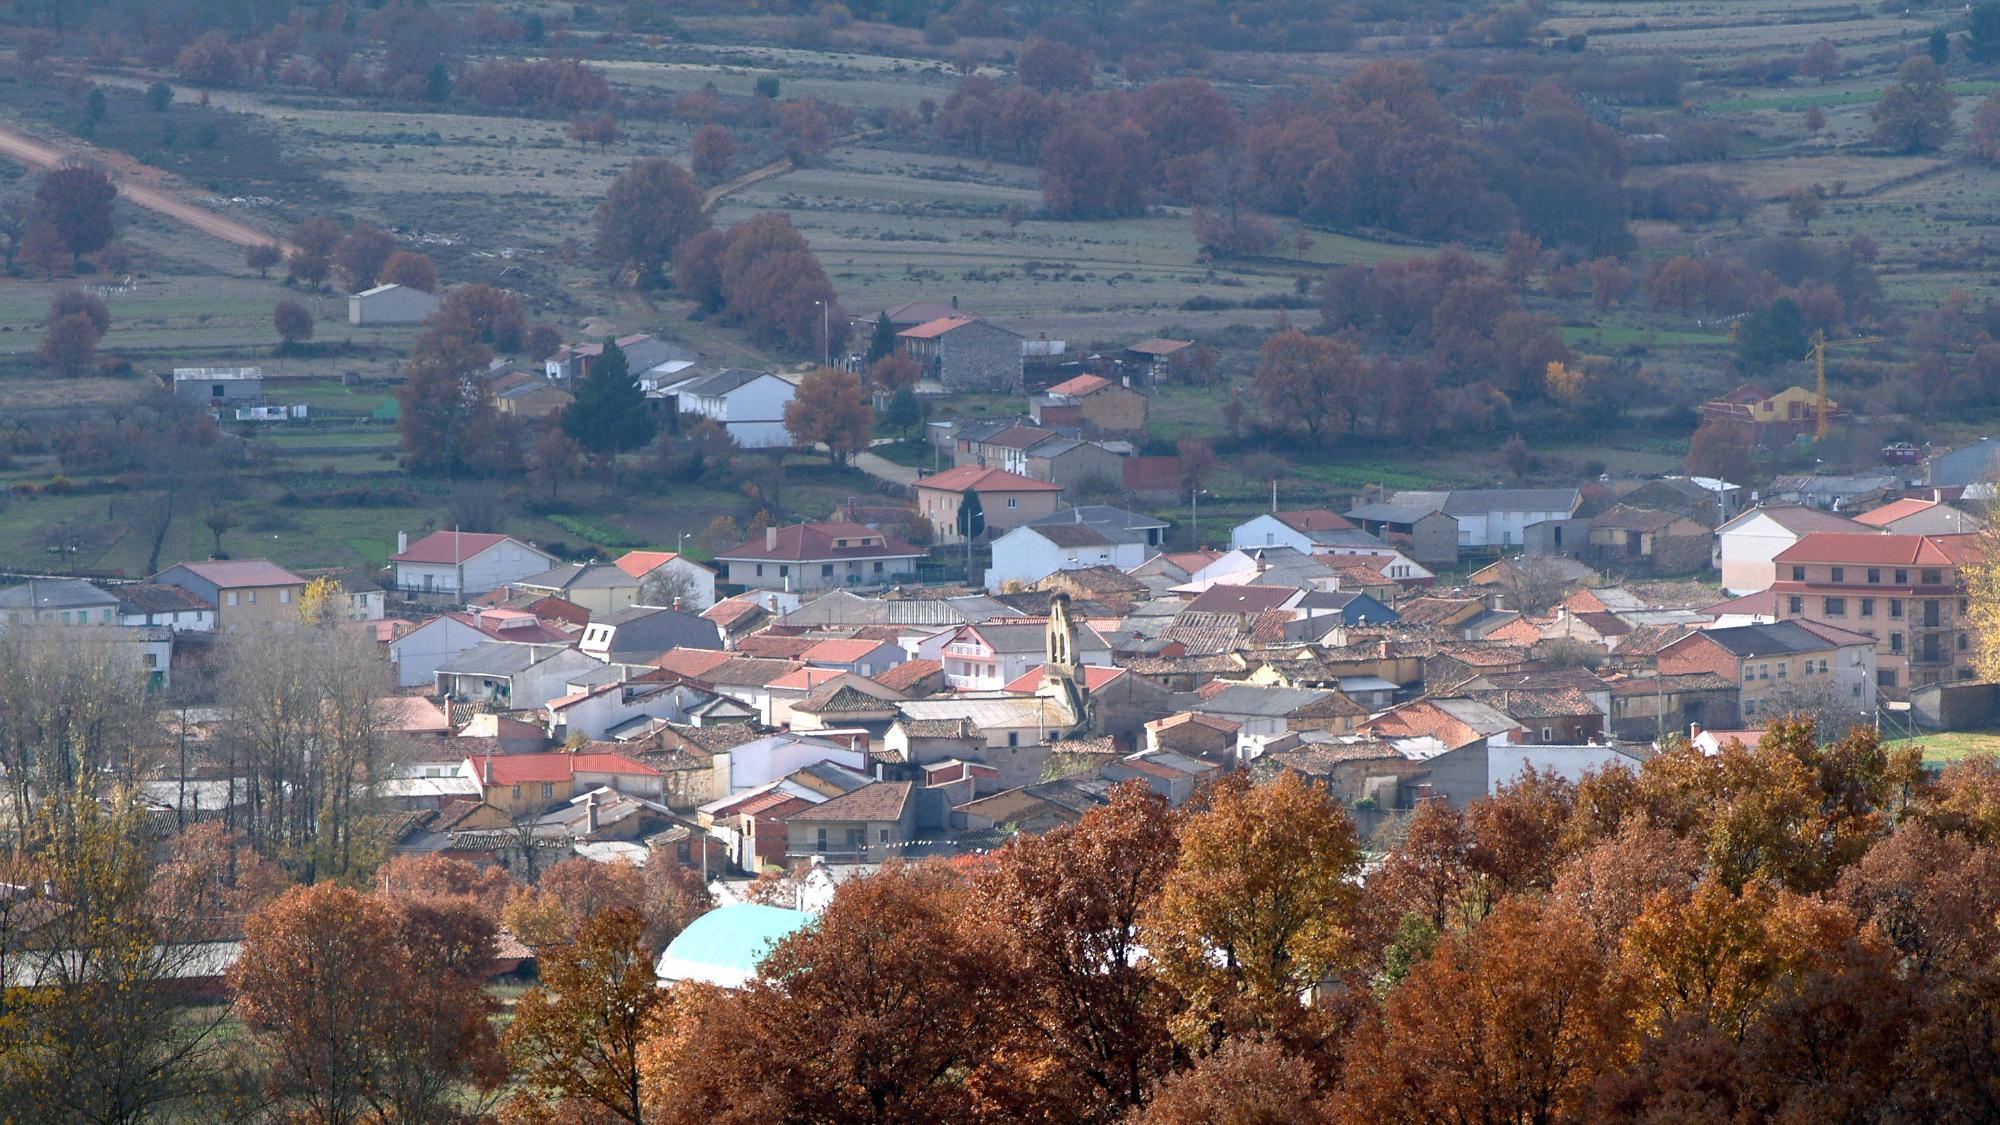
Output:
(1901, 590)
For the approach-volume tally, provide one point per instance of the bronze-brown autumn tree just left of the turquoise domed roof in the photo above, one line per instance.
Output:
(575, 1040)
